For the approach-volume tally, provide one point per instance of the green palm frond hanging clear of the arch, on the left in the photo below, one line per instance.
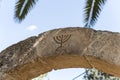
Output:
(22, 8)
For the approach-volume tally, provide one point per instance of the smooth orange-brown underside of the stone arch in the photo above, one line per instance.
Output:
(41, 66)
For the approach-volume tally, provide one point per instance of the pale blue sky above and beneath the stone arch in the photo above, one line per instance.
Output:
(51, 14)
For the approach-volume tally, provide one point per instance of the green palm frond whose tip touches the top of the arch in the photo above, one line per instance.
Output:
(92, 11)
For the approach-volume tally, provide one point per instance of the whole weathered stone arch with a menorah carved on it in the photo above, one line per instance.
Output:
(61, 48)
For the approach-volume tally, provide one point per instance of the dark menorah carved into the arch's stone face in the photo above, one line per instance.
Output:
(61, 39)
